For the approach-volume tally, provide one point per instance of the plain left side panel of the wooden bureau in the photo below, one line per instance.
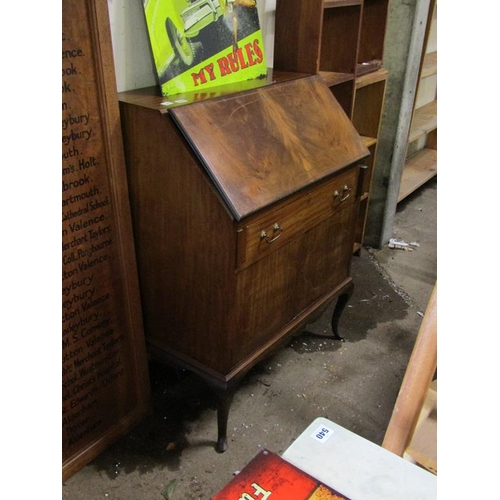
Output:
(185, 241)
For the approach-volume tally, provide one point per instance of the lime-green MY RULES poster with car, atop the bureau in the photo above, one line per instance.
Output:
(199, 44)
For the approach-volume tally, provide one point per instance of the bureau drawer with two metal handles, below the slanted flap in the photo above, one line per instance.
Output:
(277, 226)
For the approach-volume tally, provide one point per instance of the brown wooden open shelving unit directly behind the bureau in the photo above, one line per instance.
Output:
(343, 41)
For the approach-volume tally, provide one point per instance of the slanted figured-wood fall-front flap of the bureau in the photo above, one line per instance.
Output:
(261, 146)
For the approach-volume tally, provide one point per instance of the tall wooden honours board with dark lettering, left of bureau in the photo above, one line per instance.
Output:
(105, 387)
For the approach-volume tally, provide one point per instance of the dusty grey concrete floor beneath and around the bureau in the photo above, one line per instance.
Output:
(170, 455)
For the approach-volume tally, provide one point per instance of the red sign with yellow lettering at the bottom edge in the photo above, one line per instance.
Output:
(268, 476)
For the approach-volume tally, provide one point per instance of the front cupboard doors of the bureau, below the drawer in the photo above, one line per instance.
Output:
(279, 288)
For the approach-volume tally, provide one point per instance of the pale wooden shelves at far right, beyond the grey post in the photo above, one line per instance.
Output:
(421, 154)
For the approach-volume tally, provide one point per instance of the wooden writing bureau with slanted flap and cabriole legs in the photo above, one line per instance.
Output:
(244, 209)
